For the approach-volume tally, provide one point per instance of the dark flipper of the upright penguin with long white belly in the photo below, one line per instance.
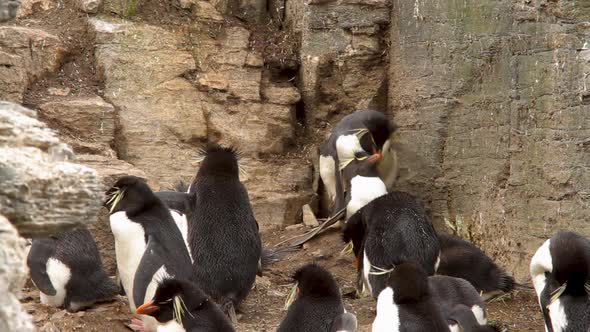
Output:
(150, 263)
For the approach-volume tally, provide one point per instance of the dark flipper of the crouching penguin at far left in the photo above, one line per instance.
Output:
(41, 251)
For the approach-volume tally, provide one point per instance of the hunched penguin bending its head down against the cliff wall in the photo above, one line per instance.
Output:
(366, 130)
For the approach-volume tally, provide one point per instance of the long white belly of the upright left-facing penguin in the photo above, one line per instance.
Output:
(129, 248)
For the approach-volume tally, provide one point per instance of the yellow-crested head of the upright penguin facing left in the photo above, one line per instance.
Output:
(130, 194)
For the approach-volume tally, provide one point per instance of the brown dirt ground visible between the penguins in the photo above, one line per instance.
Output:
(263, 309)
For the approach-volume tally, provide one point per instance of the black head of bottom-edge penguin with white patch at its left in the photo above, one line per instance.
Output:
(409, 283)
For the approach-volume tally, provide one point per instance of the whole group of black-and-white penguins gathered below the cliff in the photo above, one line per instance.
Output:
(186, 259)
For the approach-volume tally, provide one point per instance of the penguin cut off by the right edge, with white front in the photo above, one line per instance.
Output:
(560, 270)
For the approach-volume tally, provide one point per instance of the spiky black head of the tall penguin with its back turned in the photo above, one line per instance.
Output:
(219, 161)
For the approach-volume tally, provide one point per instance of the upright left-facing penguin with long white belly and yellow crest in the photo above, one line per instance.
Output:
(148, 244)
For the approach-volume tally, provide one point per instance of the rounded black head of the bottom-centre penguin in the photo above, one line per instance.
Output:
(313, 280)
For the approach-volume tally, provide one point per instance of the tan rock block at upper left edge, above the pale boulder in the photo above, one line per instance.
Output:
(26, 54)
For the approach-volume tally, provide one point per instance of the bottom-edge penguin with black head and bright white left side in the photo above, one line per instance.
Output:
(405, 304)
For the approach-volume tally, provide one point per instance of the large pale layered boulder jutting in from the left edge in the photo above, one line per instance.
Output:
(41, 192)
